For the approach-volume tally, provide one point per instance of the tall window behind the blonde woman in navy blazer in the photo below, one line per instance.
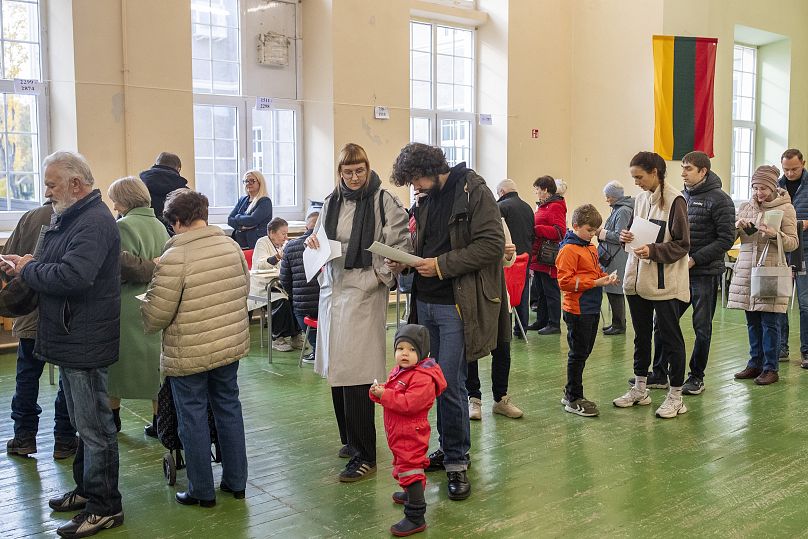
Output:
(230, 135)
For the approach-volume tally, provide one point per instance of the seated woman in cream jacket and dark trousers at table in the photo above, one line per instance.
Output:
(267, 256)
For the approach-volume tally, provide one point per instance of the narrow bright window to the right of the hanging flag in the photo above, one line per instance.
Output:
(744, 122)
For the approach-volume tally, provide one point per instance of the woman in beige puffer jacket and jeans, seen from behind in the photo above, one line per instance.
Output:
(198, 297)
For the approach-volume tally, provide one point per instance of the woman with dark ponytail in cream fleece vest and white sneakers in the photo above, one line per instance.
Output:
(657, 282)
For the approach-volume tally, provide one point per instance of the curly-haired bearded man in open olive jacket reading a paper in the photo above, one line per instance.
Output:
(458, 290)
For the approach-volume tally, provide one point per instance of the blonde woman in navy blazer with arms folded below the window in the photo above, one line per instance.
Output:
(253, 211)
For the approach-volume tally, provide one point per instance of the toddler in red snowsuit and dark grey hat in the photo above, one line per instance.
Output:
(407, 397)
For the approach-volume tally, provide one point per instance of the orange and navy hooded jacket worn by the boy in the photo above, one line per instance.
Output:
(578, 267)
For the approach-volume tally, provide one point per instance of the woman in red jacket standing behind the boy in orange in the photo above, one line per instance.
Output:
(550, 225)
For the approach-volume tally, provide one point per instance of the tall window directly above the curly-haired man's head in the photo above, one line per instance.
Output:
(442, 62)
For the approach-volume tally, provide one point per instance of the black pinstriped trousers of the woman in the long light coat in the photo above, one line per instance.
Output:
(355, 419)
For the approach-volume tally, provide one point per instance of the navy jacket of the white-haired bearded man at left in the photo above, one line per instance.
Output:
(78, 277)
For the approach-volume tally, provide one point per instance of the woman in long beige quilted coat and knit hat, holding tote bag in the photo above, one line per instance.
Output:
(761, 313)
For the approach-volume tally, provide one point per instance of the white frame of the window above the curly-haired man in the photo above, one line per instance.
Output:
(435, 115)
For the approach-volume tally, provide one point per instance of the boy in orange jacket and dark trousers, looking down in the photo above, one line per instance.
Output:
(580, 277)
